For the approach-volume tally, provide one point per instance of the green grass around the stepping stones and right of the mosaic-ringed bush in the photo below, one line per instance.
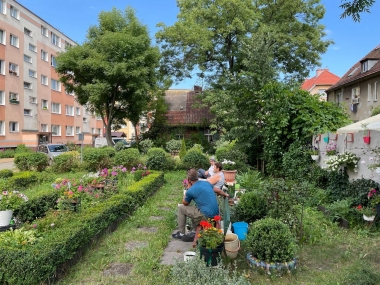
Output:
(335, 257)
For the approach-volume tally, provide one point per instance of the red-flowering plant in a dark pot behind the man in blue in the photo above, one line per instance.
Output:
(210, 241)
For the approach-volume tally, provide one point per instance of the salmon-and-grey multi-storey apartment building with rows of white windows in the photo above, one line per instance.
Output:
(34, 106)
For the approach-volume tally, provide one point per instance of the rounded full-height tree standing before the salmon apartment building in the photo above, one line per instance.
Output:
(114, 72)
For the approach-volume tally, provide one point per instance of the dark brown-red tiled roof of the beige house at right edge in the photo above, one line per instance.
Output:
(355, 73)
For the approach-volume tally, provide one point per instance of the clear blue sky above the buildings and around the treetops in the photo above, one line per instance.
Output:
(352, 40)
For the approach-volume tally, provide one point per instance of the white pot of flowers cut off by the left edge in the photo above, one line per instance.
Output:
(9, 201)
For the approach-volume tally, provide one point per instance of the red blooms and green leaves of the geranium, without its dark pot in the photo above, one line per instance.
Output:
(209, 236)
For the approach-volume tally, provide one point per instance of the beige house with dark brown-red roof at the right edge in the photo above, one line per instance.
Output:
(358, 90)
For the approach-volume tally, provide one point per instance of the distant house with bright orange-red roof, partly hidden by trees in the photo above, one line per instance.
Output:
(318, 84)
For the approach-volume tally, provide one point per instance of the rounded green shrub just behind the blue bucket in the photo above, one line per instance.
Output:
(252, 206)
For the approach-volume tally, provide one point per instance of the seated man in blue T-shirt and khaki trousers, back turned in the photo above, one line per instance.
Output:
(206, 205)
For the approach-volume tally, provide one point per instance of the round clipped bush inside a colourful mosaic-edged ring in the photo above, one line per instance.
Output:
(271, 241)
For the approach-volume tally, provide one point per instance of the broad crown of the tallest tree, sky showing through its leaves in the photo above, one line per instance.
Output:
(209, 36)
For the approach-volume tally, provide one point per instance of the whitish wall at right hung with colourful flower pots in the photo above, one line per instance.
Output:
(357, 147)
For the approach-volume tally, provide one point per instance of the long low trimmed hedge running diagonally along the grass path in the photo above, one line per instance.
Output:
(40, 262)
